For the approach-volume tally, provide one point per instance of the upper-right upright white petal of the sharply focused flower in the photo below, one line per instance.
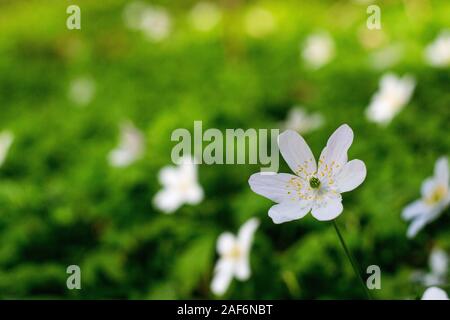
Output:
(334, 155)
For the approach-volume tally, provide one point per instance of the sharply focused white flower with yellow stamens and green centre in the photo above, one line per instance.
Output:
(313, 188)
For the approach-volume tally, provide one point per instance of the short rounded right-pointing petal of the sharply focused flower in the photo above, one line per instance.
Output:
(351, 176)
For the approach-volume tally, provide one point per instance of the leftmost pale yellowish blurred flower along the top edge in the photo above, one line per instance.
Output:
(153, 21)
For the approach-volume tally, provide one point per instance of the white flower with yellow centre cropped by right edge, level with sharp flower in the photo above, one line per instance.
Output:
(435, 199)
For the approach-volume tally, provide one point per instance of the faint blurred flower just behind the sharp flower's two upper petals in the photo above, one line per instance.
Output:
(302, 122)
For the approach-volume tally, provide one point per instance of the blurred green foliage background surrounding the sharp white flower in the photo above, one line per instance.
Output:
(71, 194)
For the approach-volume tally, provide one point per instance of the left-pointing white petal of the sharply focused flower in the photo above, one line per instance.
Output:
(279, 187)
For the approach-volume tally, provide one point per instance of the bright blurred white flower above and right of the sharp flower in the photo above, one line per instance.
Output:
(394, 93)
